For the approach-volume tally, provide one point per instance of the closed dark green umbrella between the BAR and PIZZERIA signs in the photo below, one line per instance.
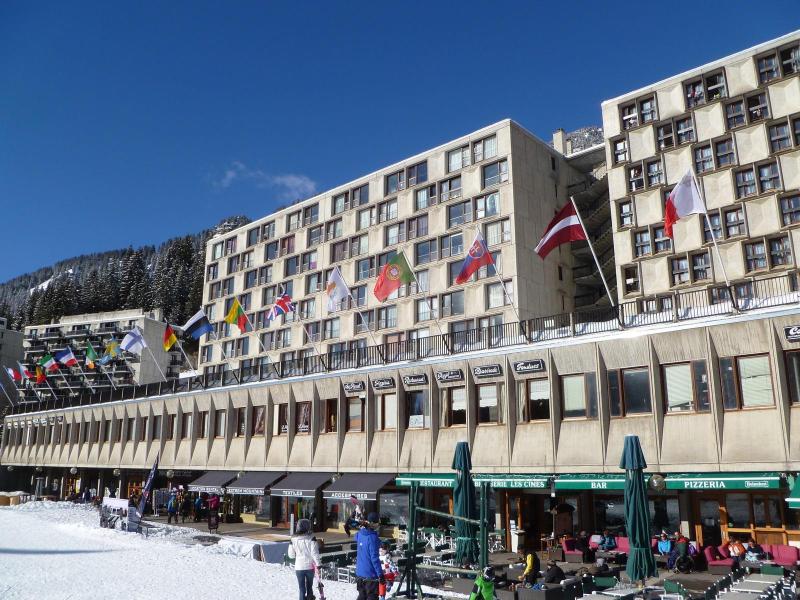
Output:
(641, 563)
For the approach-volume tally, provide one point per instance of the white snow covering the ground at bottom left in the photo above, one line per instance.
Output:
(58, 551)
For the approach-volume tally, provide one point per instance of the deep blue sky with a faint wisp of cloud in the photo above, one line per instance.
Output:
(127, 124)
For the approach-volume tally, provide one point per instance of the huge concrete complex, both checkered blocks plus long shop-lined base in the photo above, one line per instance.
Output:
(708, 376)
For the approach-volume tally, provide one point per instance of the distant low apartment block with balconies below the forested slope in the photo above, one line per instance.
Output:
(99, 329)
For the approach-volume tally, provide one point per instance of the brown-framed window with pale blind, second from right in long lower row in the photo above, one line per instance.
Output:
(746, 382)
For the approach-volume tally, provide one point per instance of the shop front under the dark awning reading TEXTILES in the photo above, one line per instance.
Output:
(299, 495)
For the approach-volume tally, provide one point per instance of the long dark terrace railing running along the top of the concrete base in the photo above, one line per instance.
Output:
(677, 307)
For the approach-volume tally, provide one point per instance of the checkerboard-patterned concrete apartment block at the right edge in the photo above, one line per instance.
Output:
(735, 122)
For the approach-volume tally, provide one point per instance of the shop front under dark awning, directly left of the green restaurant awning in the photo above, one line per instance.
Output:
(363, 489)
